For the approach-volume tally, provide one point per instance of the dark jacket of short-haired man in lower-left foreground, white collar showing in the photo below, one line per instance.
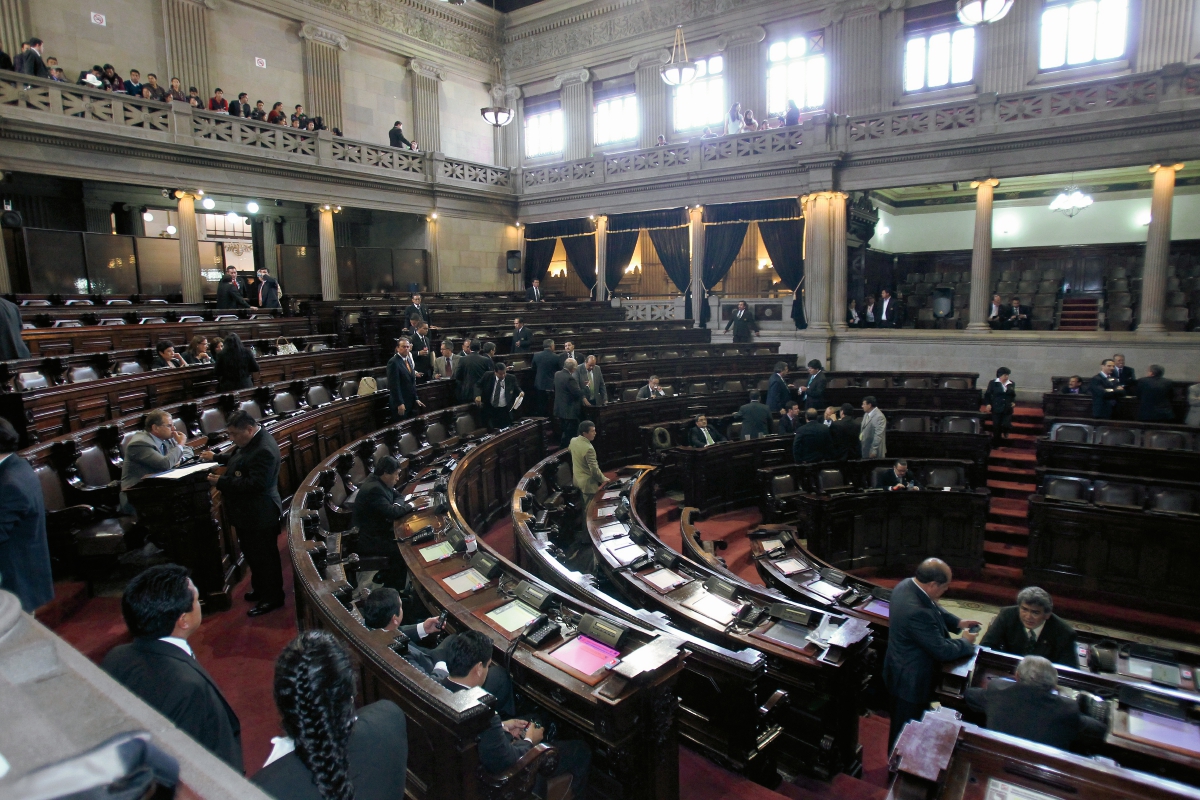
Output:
(178, 688)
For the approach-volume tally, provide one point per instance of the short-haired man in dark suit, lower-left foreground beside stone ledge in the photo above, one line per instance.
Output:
(163, 611)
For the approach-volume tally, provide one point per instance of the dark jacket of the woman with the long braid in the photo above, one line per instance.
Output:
(377, 753)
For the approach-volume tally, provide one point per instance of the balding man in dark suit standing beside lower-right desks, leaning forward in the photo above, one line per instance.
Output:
(920, 642)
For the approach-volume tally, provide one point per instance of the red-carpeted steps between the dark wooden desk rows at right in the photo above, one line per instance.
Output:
(1011, 479)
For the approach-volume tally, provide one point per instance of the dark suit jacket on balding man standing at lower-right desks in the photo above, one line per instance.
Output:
(919, 642)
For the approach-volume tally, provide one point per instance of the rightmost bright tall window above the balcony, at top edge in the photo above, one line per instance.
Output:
(1085, 32)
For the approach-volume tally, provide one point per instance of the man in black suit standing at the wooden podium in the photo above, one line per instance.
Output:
(253, 506)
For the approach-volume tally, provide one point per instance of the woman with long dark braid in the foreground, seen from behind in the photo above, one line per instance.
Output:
(329, 751)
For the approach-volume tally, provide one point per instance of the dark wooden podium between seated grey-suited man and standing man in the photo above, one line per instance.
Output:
(184, 516)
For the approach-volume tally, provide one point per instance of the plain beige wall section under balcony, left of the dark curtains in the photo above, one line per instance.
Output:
(471, 255)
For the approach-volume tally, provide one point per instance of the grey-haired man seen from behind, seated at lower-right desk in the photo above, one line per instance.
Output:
(1033, 709)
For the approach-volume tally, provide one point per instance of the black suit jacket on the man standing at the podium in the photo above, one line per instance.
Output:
(251, 484)
